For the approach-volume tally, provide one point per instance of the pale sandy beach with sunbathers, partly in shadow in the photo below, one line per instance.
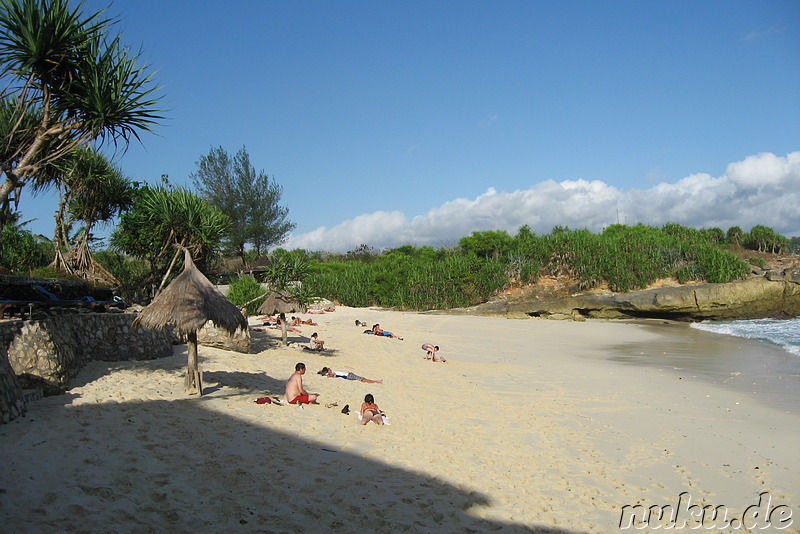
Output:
(531, 426)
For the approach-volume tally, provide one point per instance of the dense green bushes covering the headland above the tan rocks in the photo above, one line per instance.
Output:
(623, 258)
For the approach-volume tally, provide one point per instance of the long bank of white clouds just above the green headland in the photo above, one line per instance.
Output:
(761, 189)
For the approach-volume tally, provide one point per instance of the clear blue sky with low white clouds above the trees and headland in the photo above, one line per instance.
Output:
(420, 122)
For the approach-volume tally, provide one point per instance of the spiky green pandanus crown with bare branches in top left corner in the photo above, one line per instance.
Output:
(65, 81)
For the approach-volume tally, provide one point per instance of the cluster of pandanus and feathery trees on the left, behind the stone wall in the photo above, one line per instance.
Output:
(73, 95)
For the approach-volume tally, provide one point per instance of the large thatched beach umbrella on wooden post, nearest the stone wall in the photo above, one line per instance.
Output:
(188, 303)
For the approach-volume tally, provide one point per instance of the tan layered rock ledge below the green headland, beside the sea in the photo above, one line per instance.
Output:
(773, 294)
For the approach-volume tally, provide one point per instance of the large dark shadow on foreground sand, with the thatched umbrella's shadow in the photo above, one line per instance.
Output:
(235, 475)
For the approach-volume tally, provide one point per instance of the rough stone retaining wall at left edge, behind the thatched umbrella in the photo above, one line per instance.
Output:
(47, 353)
